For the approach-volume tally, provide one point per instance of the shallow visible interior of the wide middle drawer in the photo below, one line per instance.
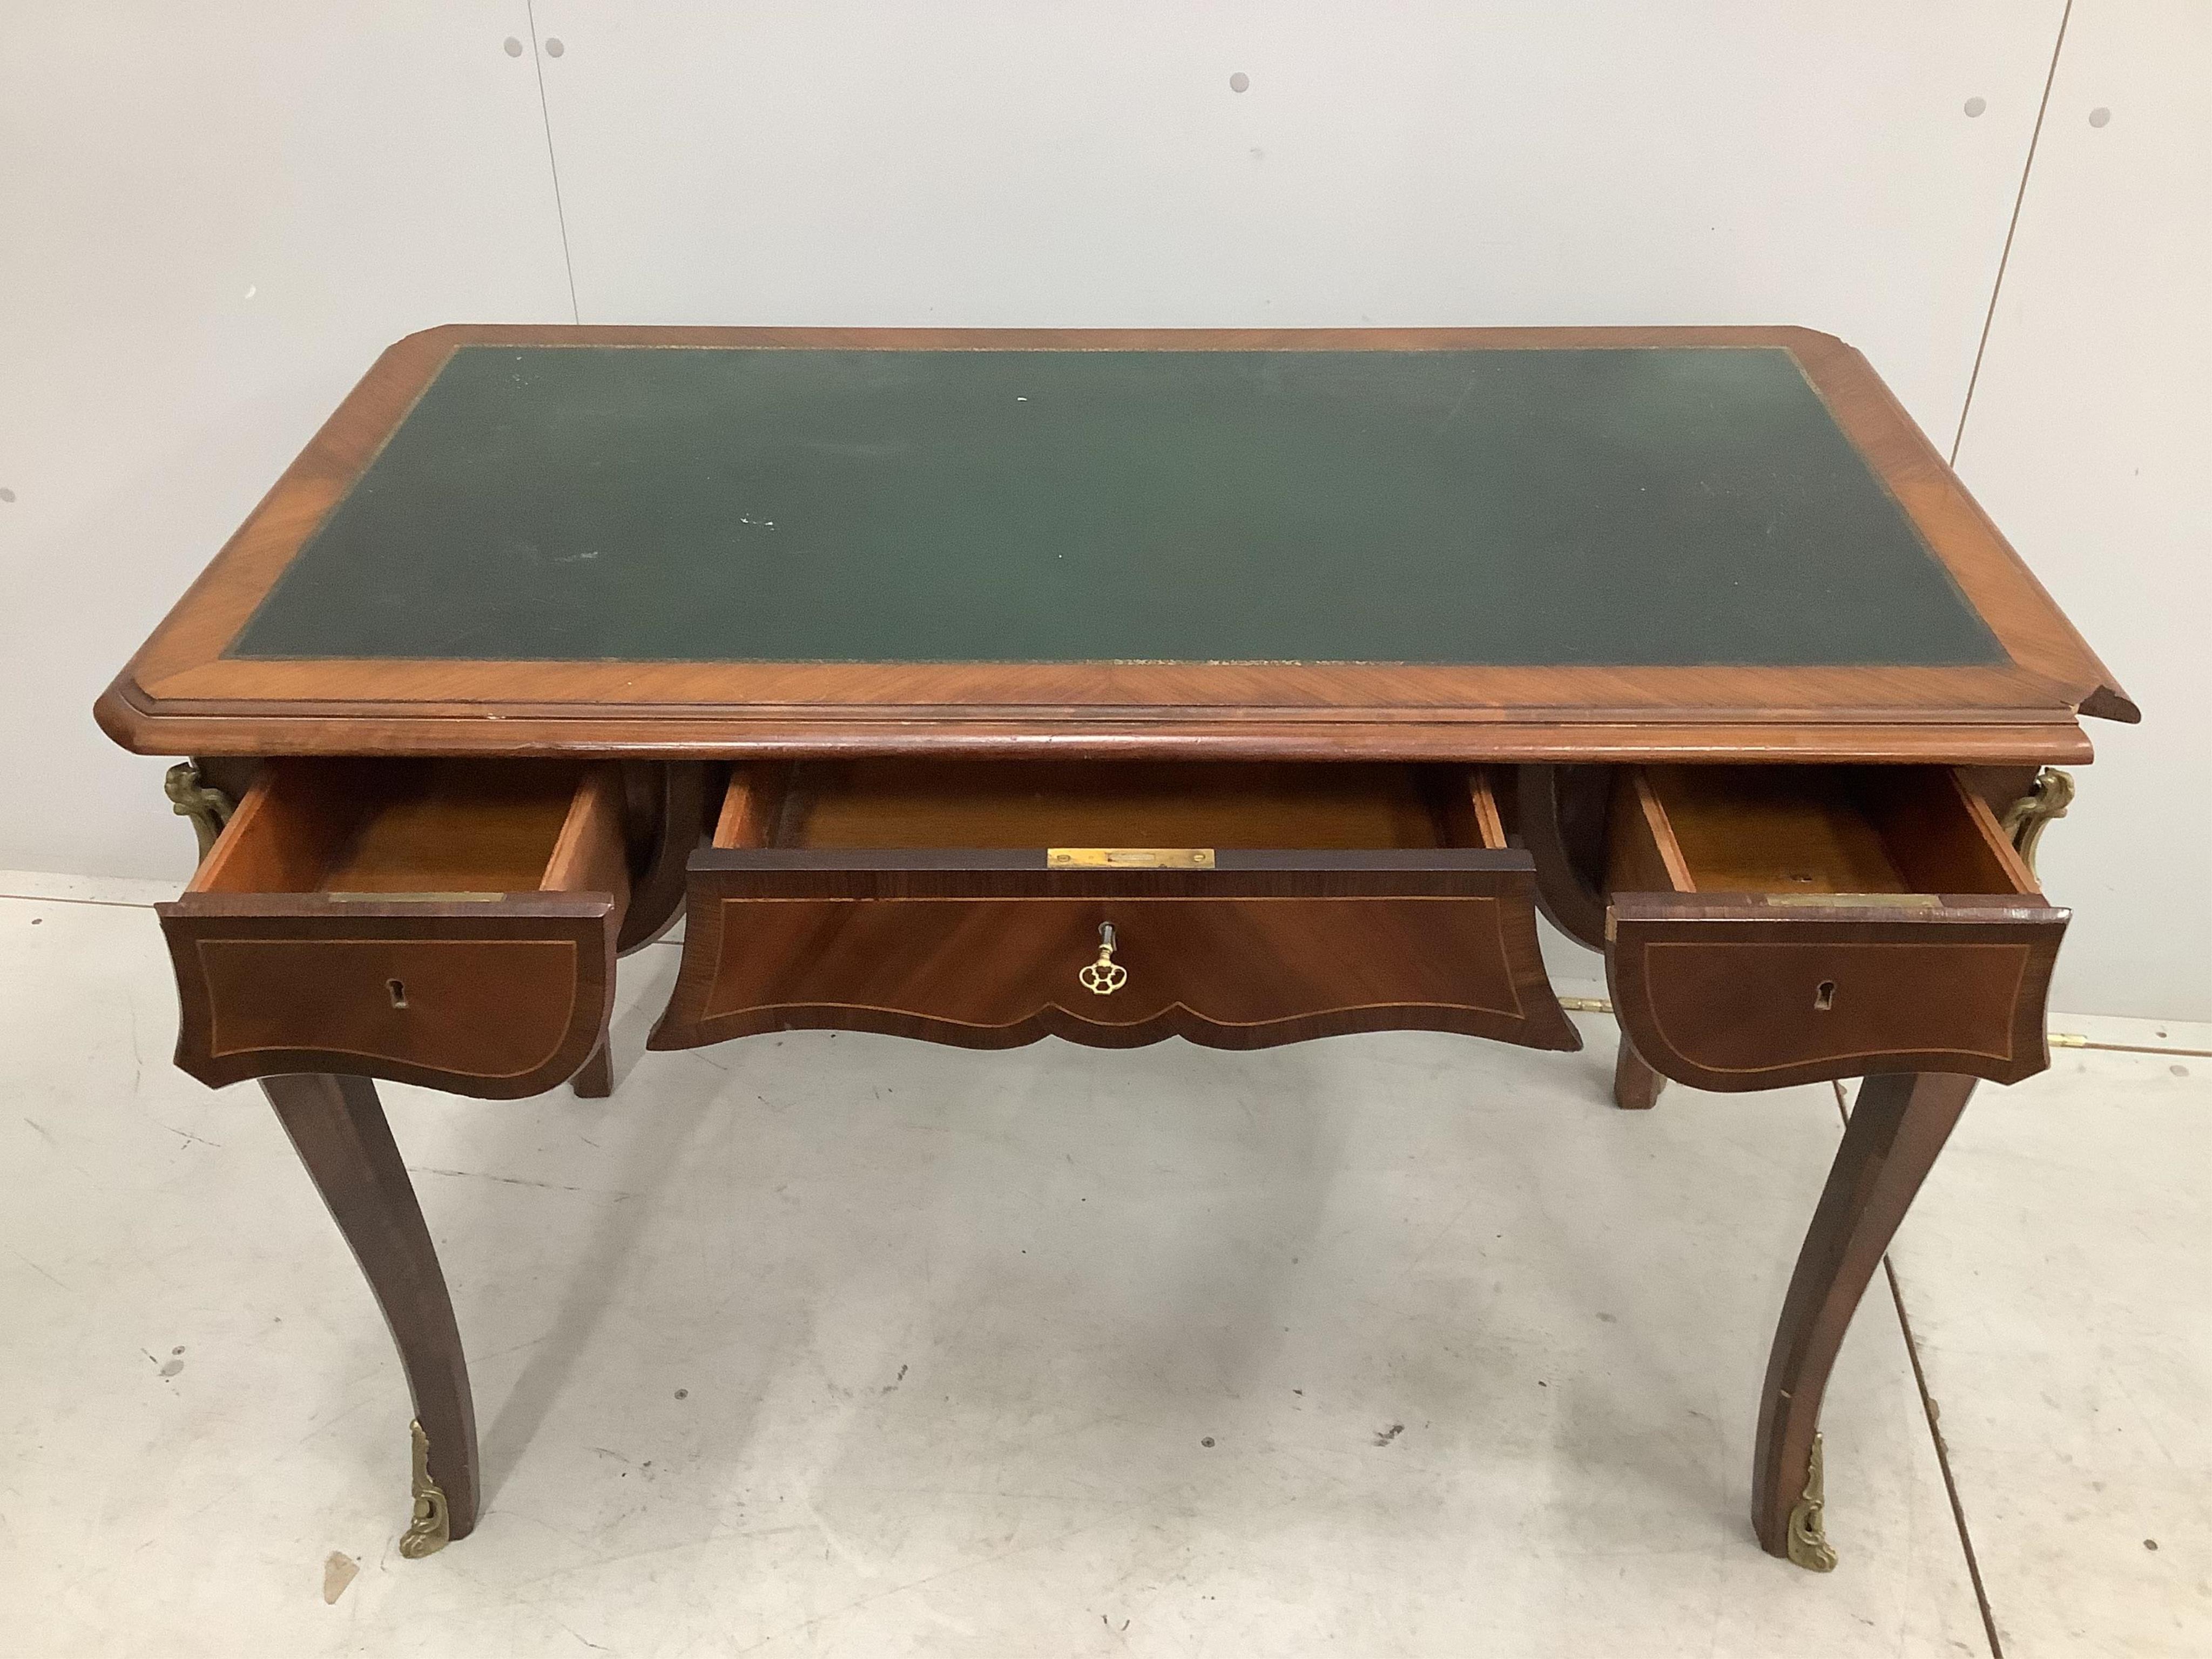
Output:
(1103, 804)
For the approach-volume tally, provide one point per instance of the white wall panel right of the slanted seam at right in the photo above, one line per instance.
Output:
(2091, 444)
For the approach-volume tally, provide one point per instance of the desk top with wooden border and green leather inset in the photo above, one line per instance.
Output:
(1366, 543)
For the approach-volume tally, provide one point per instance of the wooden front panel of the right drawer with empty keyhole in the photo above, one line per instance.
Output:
(1738, 997)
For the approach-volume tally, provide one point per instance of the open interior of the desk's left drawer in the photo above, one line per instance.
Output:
(399, 828)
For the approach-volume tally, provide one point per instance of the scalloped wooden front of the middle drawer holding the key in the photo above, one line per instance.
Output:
(994, 959)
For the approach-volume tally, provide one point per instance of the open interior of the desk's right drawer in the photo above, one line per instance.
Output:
(1806, 831)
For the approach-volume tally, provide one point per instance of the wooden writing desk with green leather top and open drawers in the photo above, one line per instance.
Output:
(1244, 687)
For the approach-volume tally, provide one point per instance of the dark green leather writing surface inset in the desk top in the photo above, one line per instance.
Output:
(1574, 508)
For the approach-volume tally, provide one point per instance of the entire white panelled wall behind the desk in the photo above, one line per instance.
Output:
(213, 218)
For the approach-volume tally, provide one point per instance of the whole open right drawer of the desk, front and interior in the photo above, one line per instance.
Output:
(1780, 926)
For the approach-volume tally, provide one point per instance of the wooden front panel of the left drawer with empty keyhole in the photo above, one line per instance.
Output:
(501, 1003)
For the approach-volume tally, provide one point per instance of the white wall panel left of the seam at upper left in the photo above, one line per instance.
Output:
(211, 220)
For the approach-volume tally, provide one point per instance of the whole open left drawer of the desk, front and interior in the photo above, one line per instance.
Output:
(444, 924)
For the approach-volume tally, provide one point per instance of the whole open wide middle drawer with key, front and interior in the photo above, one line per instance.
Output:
(1244, 906)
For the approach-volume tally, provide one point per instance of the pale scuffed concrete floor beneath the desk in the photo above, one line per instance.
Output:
(848, 1346)
